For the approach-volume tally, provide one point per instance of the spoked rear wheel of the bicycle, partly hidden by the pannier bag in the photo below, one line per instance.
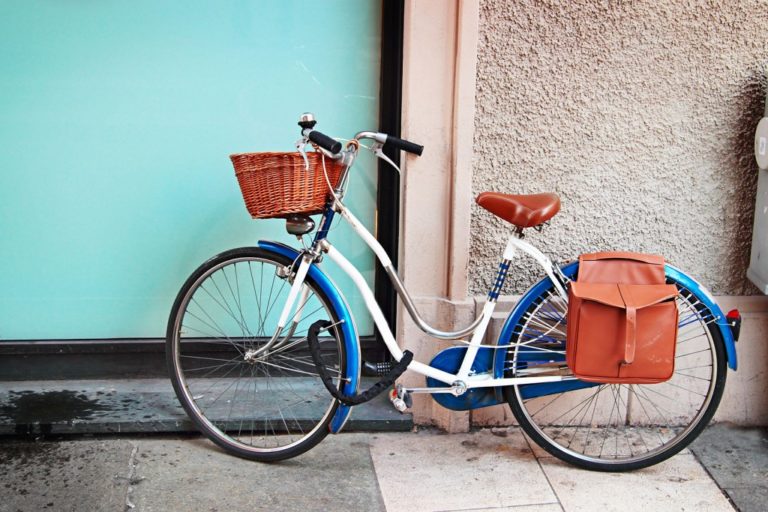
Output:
(614, 427)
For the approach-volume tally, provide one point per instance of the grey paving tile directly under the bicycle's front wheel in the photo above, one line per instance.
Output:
(194, 475)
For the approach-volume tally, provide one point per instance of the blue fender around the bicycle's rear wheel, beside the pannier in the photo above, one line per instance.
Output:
(569, 270)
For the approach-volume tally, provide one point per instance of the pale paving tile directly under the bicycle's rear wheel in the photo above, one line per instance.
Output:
(680, 484)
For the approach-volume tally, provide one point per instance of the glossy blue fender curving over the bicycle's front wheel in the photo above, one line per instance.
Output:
(351, 341)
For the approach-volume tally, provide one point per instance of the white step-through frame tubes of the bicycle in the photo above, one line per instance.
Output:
(462, 380)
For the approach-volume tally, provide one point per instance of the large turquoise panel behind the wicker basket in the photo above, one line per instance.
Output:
(116, 122)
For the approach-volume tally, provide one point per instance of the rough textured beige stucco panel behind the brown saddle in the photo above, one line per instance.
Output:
(641, 115)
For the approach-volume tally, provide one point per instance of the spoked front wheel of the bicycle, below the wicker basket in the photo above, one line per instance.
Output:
(259, 403)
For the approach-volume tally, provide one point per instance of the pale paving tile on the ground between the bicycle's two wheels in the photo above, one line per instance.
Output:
(425, 471)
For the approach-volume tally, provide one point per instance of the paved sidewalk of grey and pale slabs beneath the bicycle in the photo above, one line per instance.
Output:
(422, 471)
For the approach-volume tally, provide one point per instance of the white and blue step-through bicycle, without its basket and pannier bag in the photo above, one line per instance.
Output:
(238, 333)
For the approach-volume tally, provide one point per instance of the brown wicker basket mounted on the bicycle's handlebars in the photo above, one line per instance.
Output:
(277, 184)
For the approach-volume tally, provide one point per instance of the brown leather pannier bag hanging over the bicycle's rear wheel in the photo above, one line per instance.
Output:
(622, 319)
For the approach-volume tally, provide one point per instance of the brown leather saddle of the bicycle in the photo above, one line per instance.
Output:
(522, 211)
